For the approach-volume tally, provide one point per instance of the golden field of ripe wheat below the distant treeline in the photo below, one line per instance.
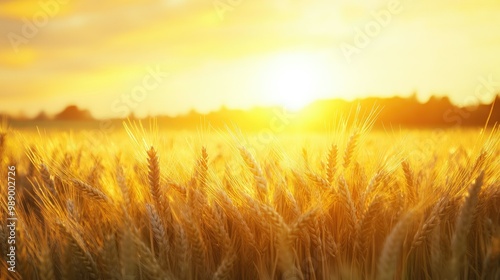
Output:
(355, 203)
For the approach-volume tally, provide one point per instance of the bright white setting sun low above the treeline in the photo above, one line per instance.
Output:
(294, 80)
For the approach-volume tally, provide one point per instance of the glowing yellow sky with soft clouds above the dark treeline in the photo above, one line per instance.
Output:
(171, 56)
